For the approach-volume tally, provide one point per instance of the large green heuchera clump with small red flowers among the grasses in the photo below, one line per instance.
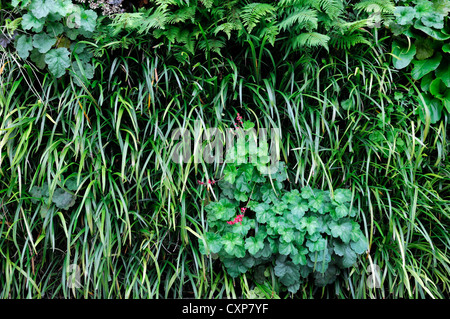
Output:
(257, 224)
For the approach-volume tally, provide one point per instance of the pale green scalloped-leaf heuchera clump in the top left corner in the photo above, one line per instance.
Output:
(57, 26)
